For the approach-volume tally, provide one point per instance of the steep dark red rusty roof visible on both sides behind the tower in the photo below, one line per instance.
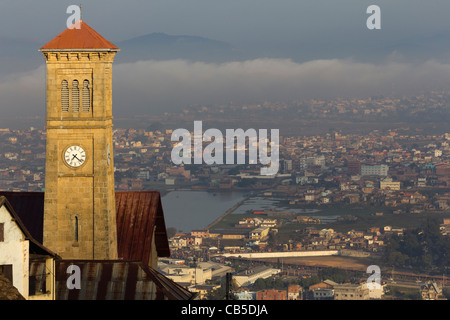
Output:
(139, 217)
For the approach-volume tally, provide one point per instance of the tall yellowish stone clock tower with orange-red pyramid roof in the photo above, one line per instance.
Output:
(79, 205)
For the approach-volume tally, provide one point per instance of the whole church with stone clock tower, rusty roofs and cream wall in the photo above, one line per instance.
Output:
(113, 238)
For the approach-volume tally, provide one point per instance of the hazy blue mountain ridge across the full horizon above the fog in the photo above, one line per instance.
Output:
(17, 55)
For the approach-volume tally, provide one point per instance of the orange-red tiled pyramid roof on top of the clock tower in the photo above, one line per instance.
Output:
(79, 36)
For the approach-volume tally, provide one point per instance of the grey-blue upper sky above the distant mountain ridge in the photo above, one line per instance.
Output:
(241, 22)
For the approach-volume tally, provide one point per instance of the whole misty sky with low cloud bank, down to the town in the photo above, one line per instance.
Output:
(300, 50)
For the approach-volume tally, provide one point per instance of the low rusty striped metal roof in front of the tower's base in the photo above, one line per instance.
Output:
(116, 280)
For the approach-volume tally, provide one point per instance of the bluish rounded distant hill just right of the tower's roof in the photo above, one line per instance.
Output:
(160, 46)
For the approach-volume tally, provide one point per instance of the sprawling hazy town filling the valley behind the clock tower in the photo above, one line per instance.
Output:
(361, 182)
